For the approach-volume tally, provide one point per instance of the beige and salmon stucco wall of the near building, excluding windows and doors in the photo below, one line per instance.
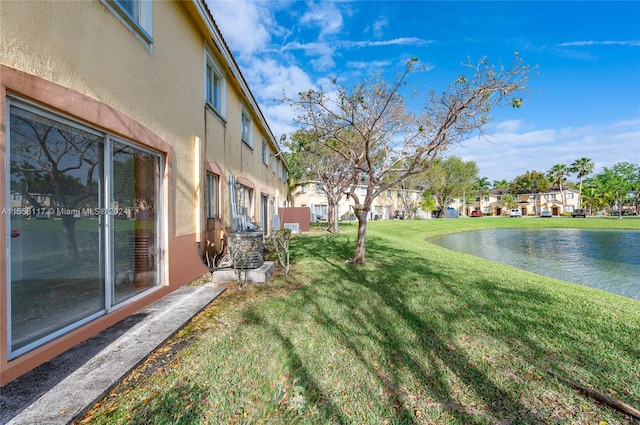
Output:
(79, 59)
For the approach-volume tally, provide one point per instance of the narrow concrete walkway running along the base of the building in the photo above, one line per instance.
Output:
(63, 388)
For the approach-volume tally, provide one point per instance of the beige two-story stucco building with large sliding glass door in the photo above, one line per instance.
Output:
(128, 137)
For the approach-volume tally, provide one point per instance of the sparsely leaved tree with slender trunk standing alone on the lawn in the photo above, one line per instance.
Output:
(372, 129)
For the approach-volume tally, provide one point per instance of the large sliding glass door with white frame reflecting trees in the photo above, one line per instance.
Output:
(67, 272)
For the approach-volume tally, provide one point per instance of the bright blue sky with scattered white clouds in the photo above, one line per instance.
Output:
(585, 102)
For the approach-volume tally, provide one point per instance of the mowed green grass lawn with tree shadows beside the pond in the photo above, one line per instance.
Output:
(418, 335)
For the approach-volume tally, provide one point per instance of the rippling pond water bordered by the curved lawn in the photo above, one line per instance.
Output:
(604, 259)
